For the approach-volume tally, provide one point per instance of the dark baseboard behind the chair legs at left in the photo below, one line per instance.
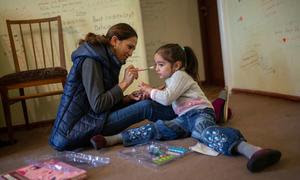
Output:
(33, 125)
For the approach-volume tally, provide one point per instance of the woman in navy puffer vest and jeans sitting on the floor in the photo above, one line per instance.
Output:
(93, 101)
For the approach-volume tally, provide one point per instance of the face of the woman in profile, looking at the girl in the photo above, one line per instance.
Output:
(123, 48)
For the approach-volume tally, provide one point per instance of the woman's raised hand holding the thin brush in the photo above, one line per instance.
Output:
(130, 74)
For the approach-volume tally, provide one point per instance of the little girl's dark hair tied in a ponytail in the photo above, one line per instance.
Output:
(174, 52)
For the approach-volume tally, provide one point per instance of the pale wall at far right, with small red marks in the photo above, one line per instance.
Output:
(261, 44)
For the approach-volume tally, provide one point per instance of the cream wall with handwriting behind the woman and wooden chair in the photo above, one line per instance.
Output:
(78, 18)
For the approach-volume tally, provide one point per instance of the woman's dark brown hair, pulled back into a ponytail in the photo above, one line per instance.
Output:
(121, 30)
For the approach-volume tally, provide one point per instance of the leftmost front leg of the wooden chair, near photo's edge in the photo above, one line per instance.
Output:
(7, 115)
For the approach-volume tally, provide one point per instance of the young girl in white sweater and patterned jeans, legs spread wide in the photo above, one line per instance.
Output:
(196, 116)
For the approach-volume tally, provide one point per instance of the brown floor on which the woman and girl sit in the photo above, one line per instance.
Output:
(264, 121)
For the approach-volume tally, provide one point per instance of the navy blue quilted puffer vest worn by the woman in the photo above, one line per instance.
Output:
(76, 122)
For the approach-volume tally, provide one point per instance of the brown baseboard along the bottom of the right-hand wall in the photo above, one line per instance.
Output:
(264, 93)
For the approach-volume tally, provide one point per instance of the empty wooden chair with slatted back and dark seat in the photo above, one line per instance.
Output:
(39, 59)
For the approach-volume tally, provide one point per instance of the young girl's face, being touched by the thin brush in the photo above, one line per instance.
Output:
(162, 67)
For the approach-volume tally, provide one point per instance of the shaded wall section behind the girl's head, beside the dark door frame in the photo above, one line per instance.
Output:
(171, 21)
